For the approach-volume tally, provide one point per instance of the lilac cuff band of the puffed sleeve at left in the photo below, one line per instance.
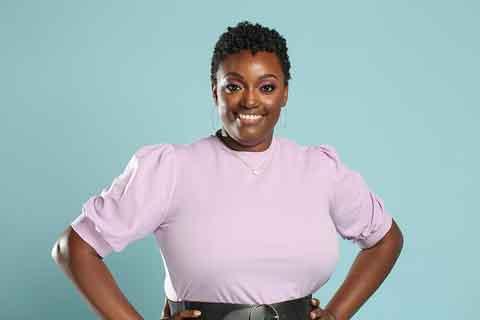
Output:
(86, 230)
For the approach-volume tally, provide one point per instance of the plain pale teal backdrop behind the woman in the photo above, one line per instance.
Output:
(393, 85)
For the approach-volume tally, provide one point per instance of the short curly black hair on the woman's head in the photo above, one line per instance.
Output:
(253, 37)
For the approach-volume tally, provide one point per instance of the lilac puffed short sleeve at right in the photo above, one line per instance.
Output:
(358, 214)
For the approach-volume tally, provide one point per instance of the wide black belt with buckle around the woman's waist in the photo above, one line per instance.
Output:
(295, 309)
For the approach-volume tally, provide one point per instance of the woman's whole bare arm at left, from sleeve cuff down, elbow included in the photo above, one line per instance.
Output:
(85, 268)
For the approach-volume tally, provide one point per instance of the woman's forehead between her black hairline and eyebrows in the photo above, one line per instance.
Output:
(247, 64)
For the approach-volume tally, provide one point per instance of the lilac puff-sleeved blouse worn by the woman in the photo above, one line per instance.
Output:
(227, 234)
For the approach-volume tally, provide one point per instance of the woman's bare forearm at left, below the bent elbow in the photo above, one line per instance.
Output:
(96, 284)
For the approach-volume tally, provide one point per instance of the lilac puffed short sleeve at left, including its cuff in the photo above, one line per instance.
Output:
(133, 205)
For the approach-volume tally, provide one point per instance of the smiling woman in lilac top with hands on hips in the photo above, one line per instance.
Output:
(246, 221)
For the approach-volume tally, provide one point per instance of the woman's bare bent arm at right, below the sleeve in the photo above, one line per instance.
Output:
(368, 271)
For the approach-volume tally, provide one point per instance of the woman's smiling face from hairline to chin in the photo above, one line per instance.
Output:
(250, 85)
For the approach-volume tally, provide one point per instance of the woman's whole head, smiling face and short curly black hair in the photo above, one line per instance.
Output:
(250, 84)
